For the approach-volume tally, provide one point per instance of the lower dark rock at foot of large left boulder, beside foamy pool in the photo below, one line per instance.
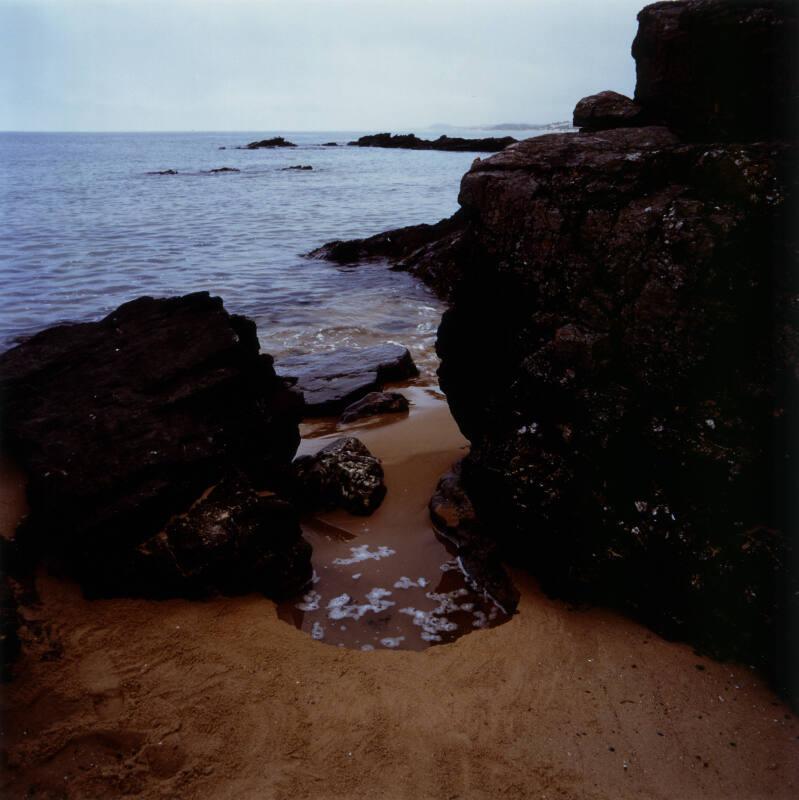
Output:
(232, 540)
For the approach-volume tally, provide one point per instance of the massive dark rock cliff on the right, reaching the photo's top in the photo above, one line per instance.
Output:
(622, 348)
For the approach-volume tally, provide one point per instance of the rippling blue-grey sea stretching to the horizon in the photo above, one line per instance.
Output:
(85, 228)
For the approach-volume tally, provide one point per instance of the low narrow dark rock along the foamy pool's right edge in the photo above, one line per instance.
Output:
(454, 518)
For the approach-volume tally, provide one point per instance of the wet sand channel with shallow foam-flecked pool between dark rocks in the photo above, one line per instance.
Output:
(385, 580)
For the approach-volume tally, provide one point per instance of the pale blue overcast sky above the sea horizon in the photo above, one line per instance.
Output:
(326, 65)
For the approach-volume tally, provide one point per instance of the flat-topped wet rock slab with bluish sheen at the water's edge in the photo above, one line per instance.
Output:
(329, 382)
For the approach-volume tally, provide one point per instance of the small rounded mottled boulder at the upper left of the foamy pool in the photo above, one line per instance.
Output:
(342, 475)
